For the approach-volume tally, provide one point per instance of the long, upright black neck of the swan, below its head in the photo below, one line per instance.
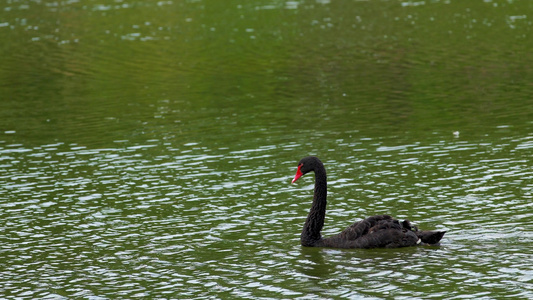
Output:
(315, 220)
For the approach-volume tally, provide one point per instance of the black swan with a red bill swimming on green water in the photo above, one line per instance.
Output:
(374, 232)
